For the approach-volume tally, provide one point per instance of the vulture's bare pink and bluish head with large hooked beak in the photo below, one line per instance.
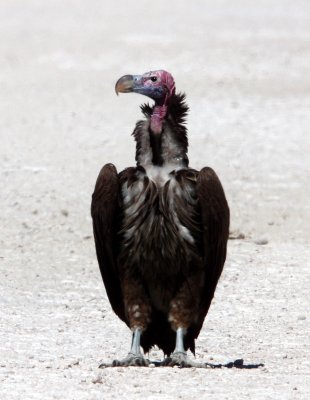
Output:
(158, 85)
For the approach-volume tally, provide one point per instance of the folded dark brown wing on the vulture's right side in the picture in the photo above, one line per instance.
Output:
(215, 222)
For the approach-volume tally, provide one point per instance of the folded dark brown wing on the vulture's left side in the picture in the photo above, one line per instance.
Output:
(105, 213)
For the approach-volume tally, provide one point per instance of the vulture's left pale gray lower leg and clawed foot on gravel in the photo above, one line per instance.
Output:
(134, 358)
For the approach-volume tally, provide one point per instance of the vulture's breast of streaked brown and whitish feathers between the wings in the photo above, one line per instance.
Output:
(160, 229)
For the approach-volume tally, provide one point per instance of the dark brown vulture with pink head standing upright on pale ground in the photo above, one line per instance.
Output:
(160, 230)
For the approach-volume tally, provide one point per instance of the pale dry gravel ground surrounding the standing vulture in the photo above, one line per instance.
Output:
(245, 68)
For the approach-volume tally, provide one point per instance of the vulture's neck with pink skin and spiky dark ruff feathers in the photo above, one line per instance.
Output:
(161, 138)
